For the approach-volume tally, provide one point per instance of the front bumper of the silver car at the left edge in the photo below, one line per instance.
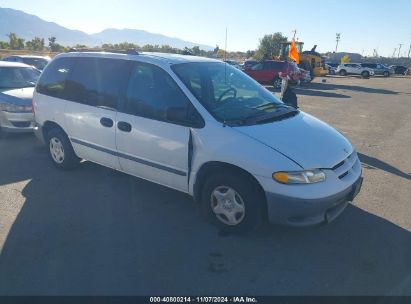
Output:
(16, 122)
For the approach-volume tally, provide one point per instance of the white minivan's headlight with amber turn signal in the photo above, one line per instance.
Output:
(300, 177)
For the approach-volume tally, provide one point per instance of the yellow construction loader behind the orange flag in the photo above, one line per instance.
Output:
(309, 60)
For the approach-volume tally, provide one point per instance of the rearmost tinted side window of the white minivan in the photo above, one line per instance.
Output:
(53, 80)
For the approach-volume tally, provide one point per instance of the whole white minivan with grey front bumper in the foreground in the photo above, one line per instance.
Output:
(199, 126)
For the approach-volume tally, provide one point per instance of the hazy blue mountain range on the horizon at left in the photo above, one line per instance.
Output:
(29, 26)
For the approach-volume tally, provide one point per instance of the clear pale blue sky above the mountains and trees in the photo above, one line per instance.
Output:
(363, 24)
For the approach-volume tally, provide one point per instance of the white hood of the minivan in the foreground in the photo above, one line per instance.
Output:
(305, 139)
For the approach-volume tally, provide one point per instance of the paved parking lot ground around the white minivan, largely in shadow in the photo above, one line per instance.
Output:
(93, 231)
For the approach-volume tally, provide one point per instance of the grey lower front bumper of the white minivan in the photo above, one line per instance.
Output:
(292, 211)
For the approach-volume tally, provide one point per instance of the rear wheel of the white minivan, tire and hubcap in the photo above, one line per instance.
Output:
(60, 150)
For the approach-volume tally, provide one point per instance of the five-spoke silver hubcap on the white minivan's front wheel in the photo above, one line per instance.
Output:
(227, 205)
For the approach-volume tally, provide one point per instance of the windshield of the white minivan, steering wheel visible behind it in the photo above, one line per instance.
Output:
(231, 96)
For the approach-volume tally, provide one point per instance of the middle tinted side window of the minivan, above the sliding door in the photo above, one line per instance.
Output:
(97, 81)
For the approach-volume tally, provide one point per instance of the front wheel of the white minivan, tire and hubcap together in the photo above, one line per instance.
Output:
(233, 202)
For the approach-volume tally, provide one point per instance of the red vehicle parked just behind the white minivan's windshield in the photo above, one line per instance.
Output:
(267, 72)
